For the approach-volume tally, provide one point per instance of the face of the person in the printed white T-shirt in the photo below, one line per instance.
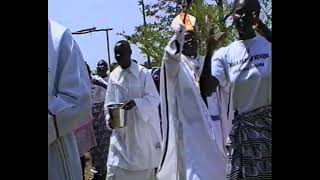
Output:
(243, 18)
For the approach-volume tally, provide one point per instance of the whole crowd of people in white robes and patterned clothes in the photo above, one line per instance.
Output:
(193, 118)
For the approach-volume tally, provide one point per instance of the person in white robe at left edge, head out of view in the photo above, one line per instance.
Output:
(68, 102)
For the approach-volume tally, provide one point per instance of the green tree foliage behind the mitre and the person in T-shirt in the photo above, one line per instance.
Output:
(154, 36)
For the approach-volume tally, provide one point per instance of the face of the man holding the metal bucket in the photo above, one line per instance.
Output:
(123, 55)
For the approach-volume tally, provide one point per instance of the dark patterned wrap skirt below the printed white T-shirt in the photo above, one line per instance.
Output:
(250, 146)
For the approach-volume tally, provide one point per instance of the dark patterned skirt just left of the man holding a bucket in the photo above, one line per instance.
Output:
(99, 153)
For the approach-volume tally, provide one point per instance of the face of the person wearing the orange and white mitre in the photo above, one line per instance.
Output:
(190, 46)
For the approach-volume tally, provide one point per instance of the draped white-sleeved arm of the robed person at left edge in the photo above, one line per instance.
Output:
(71, 105)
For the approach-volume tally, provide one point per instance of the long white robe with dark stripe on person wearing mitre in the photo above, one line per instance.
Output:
(189, 148)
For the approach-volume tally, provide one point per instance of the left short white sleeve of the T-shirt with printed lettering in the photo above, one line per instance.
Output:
(218, 67)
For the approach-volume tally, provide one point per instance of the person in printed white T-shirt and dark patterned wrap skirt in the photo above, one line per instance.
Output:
(241, 74)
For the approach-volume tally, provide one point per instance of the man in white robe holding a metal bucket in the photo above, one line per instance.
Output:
(134, 149)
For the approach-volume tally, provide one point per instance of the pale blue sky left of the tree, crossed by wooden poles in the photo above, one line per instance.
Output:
(81, 14)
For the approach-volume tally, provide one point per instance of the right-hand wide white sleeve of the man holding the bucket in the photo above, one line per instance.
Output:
(148, 104)
